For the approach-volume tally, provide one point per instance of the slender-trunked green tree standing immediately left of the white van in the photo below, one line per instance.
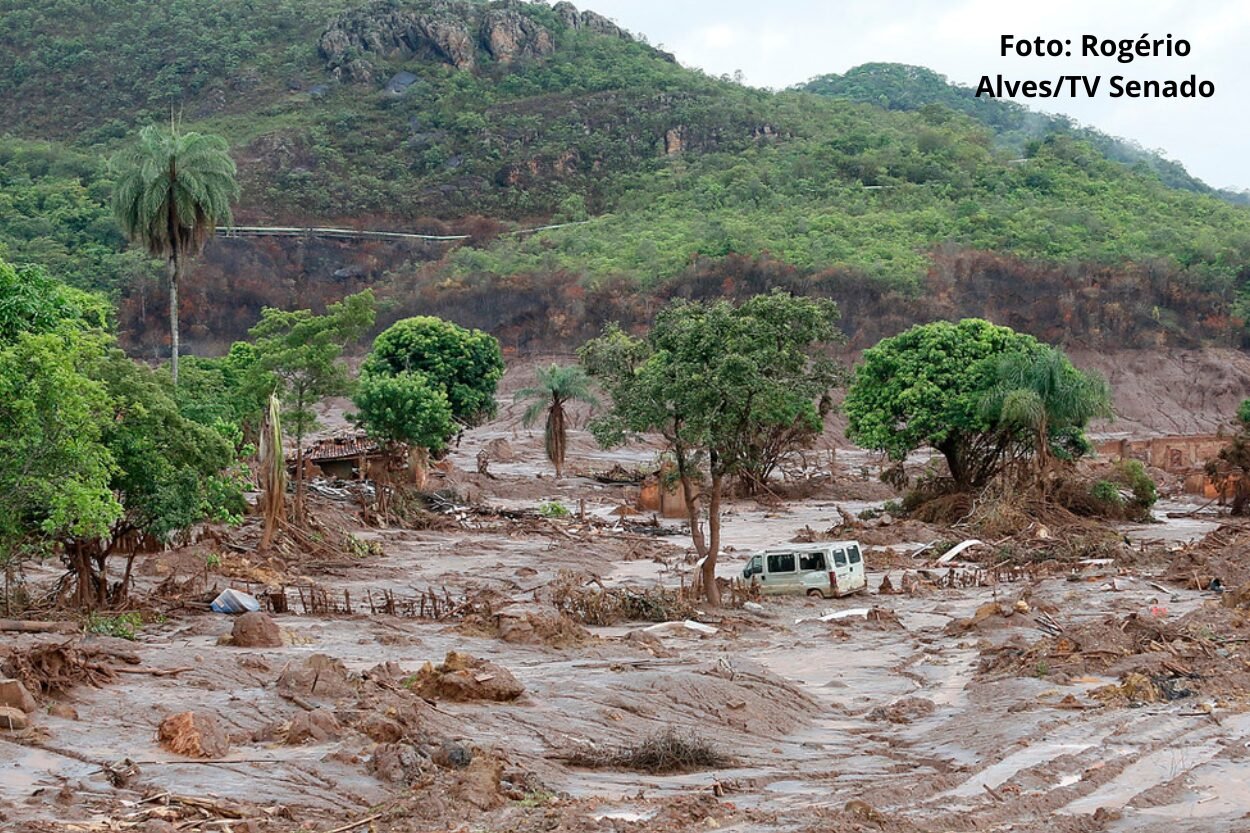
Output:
(711, 380)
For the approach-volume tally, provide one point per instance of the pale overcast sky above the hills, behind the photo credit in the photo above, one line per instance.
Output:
(781, 43)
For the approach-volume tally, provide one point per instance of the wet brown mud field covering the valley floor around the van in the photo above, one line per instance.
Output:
(1104, 696)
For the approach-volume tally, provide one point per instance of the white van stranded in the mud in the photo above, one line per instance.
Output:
(827, 570)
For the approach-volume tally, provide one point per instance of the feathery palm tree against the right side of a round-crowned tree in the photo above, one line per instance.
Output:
(1043, 396)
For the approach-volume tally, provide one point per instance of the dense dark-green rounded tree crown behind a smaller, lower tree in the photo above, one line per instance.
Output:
(467, 365)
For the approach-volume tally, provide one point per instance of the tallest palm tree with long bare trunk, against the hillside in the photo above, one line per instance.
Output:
(173, 191)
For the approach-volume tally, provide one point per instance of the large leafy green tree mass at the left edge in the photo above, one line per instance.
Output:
(94, 452)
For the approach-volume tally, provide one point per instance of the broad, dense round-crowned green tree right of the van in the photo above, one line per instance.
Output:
(964, 390)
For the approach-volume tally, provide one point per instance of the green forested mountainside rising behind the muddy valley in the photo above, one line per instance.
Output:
(464, 116)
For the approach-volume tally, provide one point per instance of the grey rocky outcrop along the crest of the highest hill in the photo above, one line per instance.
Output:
(452, 32)
